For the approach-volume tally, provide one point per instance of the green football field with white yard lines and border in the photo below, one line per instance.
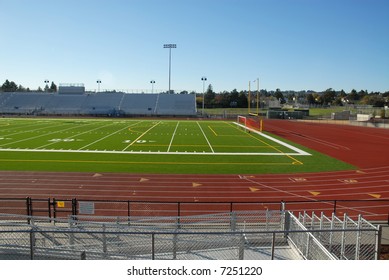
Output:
(151, 146)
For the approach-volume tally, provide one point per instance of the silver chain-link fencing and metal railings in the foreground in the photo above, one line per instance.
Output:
(253, 235)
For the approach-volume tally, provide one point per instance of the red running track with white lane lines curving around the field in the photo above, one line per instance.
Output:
(362, 147)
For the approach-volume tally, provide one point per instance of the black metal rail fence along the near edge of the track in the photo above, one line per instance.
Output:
(372, 210)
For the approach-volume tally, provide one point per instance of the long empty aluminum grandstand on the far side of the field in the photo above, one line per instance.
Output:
(104, 104)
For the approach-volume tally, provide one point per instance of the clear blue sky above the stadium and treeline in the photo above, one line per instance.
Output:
(288, 44)
